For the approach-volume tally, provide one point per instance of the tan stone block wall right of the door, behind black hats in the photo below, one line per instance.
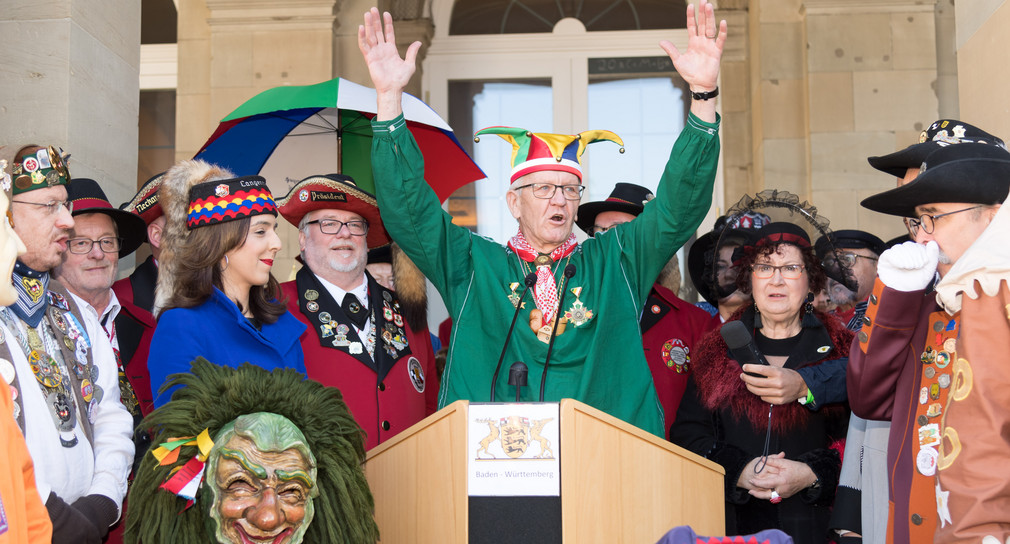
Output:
(832, 83)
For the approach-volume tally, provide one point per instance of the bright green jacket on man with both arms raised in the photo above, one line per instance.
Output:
(599, 362)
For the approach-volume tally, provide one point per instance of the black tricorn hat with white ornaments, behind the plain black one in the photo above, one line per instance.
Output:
(942, 134)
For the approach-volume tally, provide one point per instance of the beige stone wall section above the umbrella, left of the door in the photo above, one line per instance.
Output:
(232, 50)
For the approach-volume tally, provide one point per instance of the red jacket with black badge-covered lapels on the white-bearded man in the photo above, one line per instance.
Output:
(387, 395)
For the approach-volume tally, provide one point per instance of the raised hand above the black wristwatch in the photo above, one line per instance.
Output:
(700, 65)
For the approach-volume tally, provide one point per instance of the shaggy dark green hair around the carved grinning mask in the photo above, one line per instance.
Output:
(211, 398)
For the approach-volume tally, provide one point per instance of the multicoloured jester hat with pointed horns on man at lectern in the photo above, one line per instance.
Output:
(541, 152)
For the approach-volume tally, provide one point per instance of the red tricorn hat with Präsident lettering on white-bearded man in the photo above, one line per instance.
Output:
(334, 192)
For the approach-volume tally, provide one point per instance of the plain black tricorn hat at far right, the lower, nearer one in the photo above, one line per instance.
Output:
(972, 174)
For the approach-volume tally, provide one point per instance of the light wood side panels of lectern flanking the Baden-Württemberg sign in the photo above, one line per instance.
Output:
(619, 484)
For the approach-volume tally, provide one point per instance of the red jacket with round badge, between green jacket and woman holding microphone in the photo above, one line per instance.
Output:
(671, 329)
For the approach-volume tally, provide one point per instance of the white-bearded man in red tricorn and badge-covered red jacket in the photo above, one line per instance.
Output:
(358, 340)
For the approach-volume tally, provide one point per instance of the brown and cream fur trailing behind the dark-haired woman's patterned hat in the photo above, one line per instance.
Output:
(175, 201)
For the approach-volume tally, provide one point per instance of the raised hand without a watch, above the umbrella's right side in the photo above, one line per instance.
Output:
(390, 74)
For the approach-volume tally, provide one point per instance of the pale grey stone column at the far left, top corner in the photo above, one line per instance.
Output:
(71, 78)
